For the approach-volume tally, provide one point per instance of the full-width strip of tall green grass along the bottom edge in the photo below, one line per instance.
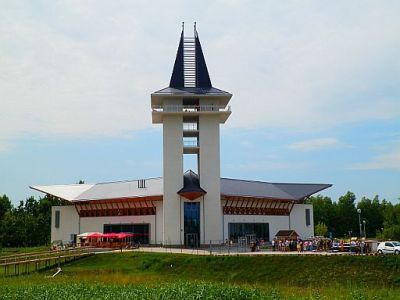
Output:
(182, 290)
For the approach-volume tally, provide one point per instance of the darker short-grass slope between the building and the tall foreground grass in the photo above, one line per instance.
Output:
(293, 270)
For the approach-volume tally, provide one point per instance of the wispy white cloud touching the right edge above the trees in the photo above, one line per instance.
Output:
(388, 160)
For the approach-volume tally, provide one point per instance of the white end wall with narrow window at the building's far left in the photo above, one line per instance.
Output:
(69, 223)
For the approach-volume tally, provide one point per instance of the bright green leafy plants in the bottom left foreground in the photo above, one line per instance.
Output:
(102, 291)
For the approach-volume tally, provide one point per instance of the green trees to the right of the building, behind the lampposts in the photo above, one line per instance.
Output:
(342, 218)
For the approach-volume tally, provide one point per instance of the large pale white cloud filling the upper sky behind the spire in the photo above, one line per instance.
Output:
(87, 68)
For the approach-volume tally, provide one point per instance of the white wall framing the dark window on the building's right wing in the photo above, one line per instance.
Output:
(276, 223)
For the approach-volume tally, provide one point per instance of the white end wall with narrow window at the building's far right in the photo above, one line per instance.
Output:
(298, 220)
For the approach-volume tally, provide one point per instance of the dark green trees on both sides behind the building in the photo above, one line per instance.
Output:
(29, 223)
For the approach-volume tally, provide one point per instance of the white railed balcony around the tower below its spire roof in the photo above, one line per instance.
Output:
(190, 110)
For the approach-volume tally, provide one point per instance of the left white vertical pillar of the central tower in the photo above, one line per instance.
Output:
(173, 173)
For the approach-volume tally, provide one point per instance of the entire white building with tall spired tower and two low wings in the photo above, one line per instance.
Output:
(191, 208)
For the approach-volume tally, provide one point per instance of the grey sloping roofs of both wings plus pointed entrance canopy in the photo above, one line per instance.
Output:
(154, 187)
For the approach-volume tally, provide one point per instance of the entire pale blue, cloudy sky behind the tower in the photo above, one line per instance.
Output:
(315, 84)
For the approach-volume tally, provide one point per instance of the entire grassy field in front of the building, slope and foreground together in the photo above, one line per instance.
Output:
(176, 276)
